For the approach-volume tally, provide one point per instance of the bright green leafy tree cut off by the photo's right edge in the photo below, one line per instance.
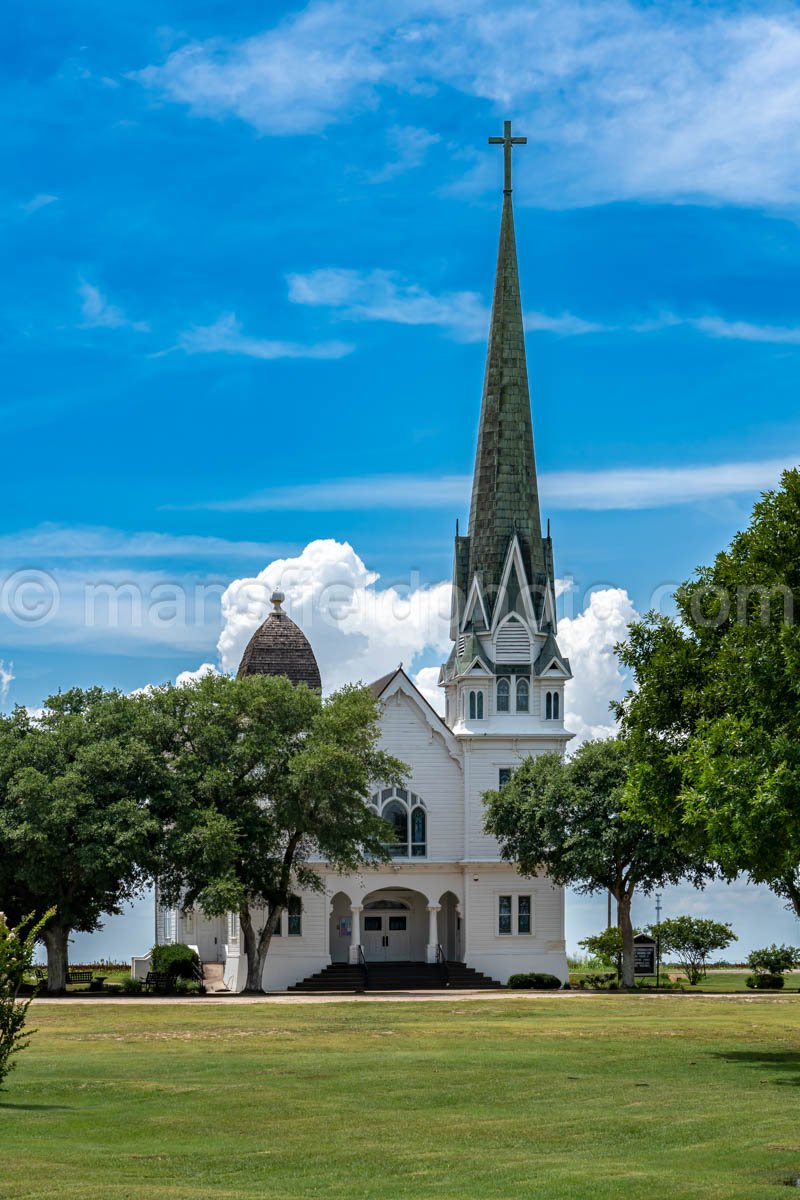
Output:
(714, 717)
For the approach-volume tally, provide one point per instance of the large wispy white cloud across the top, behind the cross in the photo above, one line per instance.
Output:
(624, 101)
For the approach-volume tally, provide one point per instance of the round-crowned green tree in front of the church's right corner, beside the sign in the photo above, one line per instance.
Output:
(568, 819)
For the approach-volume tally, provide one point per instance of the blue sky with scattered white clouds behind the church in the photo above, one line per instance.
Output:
(249, 261)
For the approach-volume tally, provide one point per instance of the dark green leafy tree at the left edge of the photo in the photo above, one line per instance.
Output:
(76, 827)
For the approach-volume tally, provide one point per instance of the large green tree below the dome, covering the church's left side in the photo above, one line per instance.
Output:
(269, 782)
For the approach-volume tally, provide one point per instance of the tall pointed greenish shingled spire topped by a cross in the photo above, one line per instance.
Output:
(506, 496)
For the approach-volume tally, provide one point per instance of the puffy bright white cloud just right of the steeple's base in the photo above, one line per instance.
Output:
(588, 641)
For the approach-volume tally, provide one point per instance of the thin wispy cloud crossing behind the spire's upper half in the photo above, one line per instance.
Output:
(383, 296)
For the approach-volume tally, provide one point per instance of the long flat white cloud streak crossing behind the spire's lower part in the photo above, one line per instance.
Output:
(627, 488)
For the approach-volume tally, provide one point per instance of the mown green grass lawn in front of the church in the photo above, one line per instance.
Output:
(581, 1097)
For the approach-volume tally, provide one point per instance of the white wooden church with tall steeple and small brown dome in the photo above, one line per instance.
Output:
(447, 907)
